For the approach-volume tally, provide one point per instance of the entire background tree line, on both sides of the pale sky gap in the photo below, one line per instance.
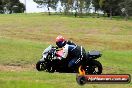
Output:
(79, 7)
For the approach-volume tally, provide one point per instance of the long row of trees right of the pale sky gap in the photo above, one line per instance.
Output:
(108, 7)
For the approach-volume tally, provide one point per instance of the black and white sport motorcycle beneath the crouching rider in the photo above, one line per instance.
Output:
(51, 62)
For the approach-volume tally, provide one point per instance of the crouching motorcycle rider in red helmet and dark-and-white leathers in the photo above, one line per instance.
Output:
(71, 51)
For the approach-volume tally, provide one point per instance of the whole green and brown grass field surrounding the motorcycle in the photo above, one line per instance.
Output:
(23, 37)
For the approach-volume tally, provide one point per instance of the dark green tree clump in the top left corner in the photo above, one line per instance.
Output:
(11, 6)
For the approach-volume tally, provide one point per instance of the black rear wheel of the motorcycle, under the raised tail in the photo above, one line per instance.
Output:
(93, 67)
